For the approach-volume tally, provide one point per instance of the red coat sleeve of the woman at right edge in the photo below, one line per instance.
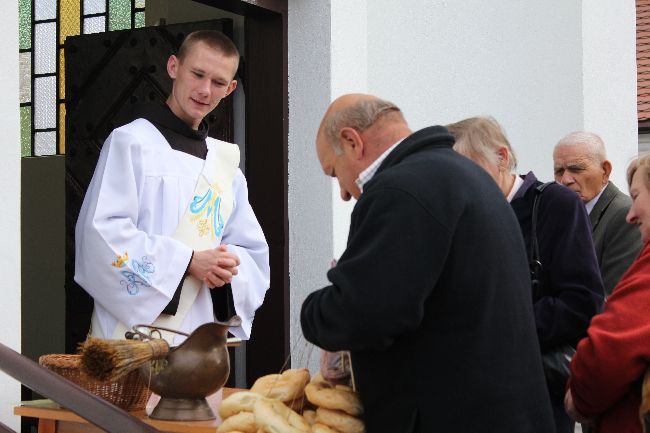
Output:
(615, 353)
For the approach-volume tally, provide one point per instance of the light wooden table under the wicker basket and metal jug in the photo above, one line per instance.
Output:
(53, 419)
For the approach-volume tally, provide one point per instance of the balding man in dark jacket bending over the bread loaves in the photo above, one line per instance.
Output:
(432, 294)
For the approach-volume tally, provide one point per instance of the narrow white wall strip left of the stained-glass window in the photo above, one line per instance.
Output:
(10, 199)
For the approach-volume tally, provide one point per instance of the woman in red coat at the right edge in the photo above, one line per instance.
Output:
(608, 367)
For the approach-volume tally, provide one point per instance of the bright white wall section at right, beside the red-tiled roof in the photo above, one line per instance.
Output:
(609, 65)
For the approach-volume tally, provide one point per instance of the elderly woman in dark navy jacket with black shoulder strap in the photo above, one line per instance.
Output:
(572, 288)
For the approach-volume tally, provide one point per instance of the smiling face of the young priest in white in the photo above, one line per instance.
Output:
(201, 79)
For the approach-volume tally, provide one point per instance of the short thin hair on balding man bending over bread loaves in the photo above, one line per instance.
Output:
(359, 116)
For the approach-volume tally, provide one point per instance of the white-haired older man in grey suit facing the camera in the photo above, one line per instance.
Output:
(581, 164)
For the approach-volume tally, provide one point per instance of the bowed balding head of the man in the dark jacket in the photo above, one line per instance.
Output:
(356, 129)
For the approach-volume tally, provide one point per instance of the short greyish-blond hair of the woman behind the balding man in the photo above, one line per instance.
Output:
(479, 138)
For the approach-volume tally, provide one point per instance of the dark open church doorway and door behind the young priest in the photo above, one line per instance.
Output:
(107, 75)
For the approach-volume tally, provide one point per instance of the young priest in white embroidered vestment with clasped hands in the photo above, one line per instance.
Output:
(166, 234)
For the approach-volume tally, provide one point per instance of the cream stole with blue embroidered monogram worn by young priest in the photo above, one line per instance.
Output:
(201, 228)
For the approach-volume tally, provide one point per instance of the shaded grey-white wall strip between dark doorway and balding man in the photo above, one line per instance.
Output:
(310, 209)
